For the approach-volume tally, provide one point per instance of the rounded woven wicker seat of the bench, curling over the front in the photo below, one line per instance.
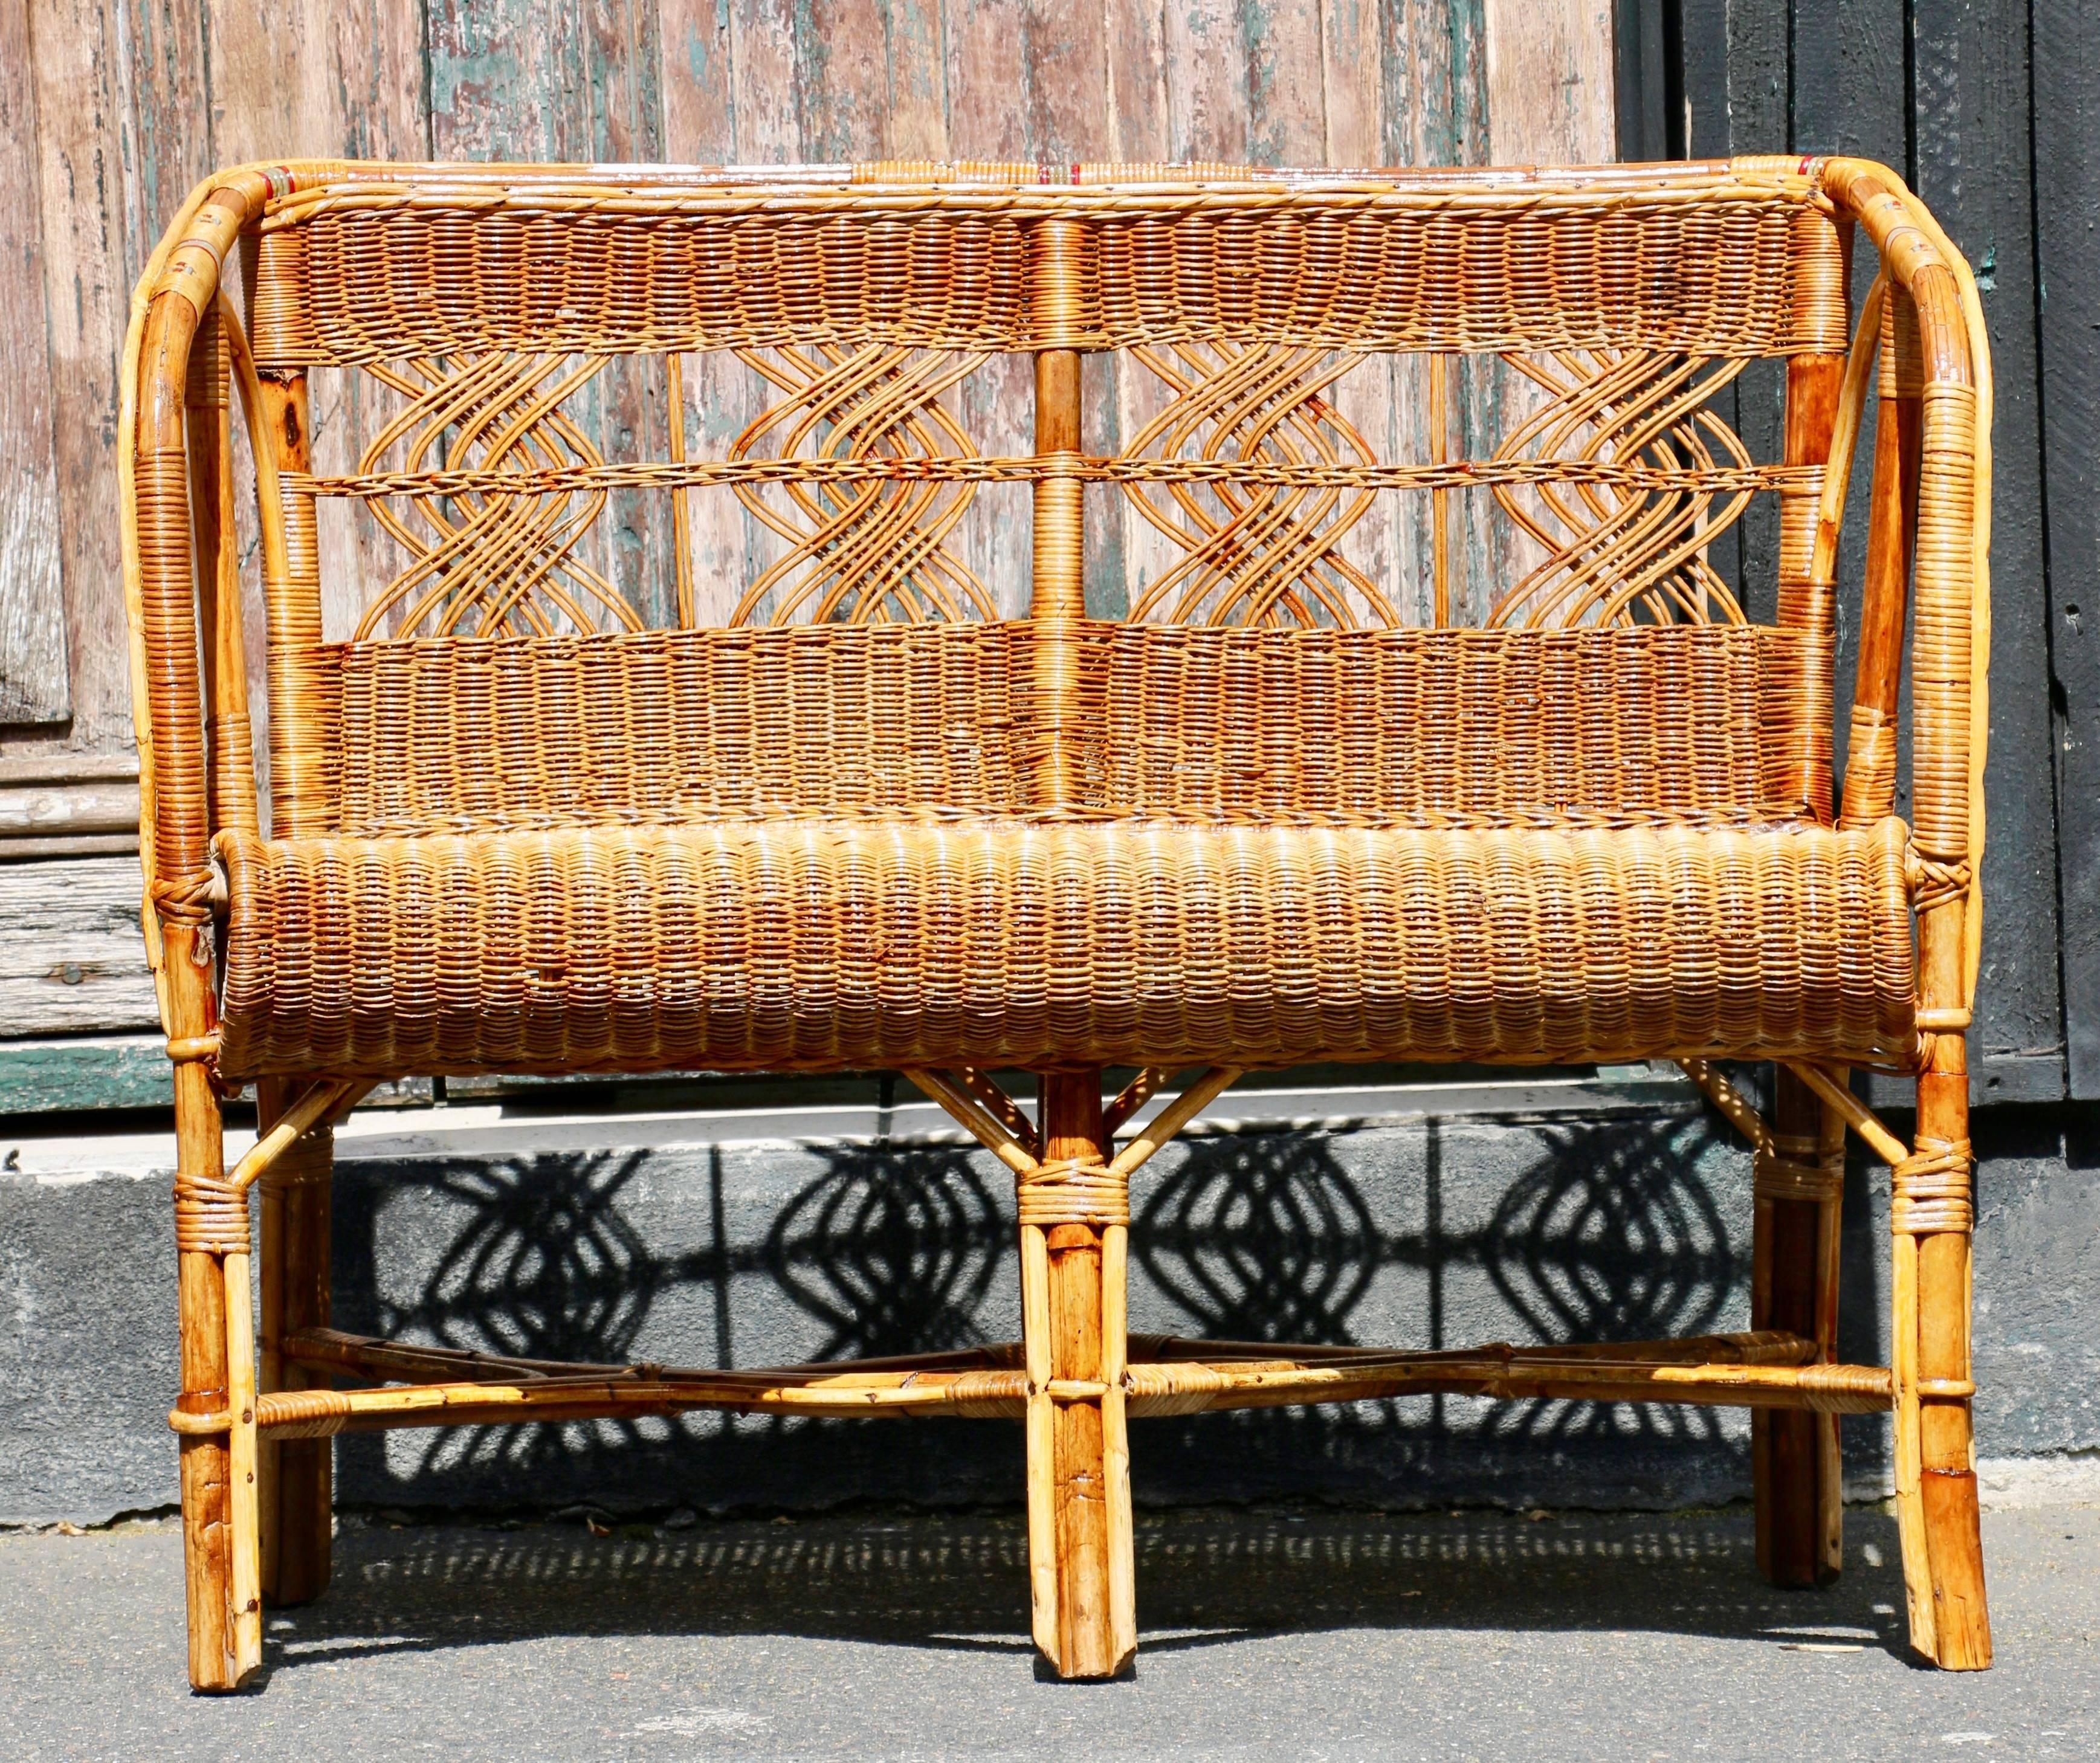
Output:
(860, 943)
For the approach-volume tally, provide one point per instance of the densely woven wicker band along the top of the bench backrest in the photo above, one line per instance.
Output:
(377, 263)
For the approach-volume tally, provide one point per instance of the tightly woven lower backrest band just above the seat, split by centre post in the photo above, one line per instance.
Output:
(1656, 725)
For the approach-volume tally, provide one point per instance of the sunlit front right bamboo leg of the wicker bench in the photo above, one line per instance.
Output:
(1948, 1518)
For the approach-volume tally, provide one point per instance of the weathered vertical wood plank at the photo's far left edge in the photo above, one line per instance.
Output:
(33, 608)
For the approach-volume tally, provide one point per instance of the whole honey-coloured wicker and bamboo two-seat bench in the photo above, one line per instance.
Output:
(1406, 719)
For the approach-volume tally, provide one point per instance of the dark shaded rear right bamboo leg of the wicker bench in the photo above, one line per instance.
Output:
(1792, 1451)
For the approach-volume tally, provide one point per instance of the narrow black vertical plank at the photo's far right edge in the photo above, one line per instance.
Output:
(2067, 211)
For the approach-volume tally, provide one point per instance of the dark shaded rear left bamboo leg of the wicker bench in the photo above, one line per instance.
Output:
(297, 1474)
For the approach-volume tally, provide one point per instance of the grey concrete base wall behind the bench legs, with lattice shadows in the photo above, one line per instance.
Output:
(721, 1250)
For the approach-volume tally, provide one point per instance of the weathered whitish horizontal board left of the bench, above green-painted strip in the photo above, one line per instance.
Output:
(70, 950)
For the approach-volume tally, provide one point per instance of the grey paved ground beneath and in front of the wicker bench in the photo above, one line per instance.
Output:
(1267, 1634)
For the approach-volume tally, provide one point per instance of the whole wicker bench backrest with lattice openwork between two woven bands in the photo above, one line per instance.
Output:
(1335, 410)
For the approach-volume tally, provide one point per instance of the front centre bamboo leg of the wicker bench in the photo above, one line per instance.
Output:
(1080, 1529)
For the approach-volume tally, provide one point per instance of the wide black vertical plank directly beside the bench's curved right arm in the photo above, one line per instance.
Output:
(1971, 64)
